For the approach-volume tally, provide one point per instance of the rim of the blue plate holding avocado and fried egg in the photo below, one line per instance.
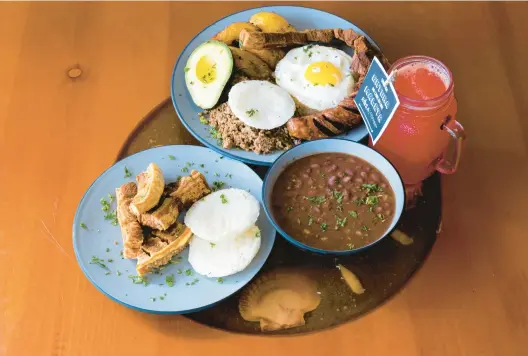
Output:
(173, 98)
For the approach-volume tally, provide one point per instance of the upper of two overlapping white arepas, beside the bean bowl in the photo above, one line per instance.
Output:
(223, 214)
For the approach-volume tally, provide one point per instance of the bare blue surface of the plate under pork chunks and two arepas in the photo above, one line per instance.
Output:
(99, 237)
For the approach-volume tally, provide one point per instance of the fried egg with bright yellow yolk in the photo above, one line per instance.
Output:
(318, 77)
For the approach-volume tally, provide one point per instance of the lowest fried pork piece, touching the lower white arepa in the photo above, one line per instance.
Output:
(157, 252)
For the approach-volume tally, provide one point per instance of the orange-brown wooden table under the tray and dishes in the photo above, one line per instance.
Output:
(57, 135)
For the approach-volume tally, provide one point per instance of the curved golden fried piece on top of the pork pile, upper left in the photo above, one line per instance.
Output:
(150, 187)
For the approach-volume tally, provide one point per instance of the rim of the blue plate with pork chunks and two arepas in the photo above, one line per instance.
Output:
(75, 238)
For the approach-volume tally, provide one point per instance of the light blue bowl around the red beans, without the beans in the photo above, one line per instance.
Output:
(334, 145)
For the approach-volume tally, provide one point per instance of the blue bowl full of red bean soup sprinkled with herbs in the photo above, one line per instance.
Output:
(333, 196)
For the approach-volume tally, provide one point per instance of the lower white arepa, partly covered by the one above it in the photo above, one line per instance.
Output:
(225, 257)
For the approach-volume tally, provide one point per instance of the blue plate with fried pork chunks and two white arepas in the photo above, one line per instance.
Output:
(172, 229)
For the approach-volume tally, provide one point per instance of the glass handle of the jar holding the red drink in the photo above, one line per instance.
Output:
(448, 162)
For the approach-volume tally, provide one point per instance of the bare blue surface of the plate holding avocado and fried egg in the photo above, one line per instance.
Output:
(301, 18)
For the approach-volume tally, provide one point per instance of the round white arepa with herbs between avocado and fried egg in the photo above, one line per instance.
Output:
(261, 104)
